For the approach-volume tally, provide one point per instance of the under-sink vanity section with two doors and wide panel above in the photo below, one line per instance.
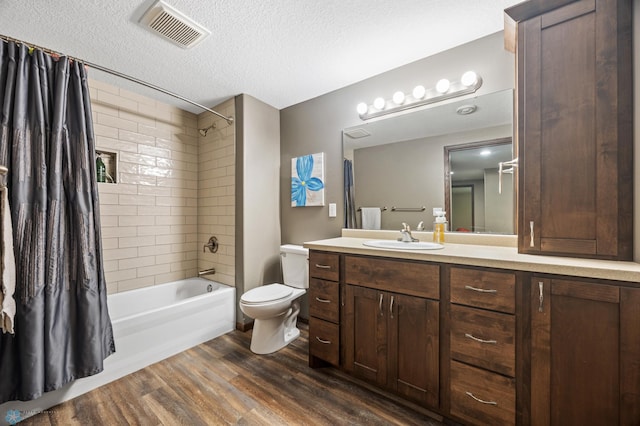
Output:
(392, 326)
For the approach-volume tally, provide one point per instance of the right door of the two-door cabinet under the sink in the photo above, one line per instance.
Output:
(413, 348)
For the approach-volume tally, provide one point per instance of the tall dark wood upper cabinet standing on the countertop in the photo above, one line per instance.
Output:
(574, 128)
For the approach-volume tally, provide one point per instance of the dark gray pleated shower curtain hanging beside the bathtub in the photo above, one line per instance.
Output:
(62, 326)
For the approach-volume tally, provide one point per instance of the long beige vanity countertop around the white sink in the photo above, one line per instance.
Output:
(493, 256)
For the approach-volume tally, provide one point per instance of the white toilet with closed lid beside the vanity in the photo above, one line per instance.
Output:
(274, 307)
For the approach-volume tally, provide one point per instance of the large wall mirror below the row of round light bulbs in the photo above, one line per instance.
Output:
(399, 164)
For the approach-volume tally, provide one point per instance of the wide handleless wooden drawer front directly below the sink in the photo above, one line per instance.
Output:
(412, 278)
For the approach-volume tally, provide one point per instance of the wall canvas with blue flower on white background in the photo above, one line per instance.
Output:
(307, 180)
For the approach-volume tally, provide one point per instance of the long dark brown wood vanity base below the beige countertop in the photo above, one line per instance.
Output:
(481, 345)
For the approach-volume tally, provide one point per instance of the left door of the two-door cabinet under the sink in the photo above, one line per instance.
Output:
(366, 333)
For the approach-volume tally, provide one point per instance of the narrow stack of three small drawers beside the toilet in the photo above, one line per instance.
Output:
(324, 309)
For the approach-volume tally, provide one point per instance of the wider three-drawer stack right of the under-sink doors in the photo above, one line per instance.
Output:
(482, 346)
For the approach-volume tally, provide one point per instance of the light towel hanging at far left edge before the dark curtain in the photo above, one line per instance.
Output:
(7, 265)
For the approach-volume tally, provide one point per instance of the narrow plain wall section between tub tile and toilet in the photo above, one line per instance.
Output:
(257, 178)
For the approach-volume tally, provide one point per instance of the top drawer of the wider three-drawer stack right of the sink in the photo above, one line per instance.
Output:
(483, 289)
